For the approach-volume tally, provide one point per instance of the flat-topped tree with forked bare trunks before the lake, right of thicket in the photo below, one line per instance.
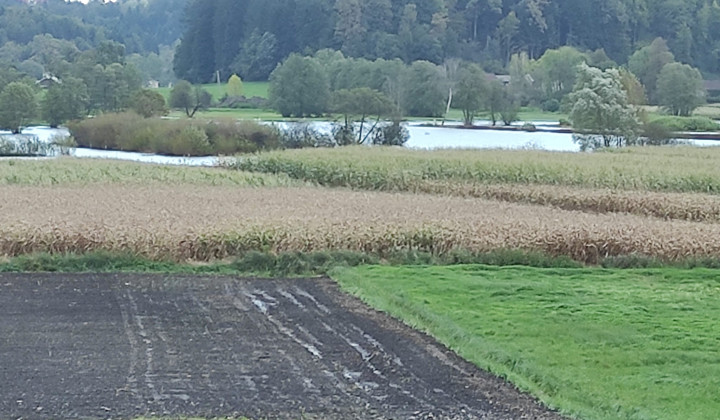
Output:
(360, 103)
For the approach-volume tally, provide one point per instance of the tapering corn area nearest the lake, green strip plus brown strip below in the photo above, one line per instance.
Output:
(671, 183)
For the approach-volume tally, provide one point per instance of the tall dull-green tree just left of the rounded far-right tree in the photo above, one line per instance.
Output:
(647, 62)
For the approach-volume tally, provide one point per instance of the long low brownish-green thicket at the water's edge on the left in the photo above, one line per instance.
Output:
(130, 132)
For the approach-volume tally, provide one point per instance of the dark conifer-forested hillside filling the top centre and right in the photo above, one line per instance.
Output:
(249, 37)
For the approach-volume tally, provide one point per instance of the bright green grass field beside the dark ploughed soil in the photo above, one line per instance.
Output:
(597, 344)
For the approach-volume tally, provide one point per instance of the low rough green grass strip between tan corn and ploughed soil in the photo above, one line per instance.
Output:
(266, 264)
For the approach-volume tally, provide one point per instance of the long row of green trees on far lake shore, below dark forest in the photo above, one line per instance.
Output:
(329, 82)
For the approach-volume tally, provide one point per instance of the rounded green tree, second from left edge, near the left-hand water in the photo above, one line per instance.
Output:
(65, 101)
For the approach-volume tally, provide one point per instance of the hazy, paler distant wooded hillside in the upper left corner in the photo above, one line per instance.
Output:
(48, 35)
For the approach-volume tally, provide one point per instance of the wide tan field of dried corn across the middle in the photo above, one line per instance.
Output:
(202, 223)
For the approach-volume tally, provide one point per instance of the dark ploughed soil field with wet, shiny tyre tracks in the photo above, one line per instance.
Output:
(121, 346)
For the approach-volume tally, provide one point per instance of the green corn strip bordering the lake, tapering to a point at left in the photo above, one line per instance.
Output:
(671, 169)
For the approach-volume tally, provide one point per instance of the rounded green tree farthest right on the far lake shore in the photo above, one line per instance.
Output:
(680, 89)
